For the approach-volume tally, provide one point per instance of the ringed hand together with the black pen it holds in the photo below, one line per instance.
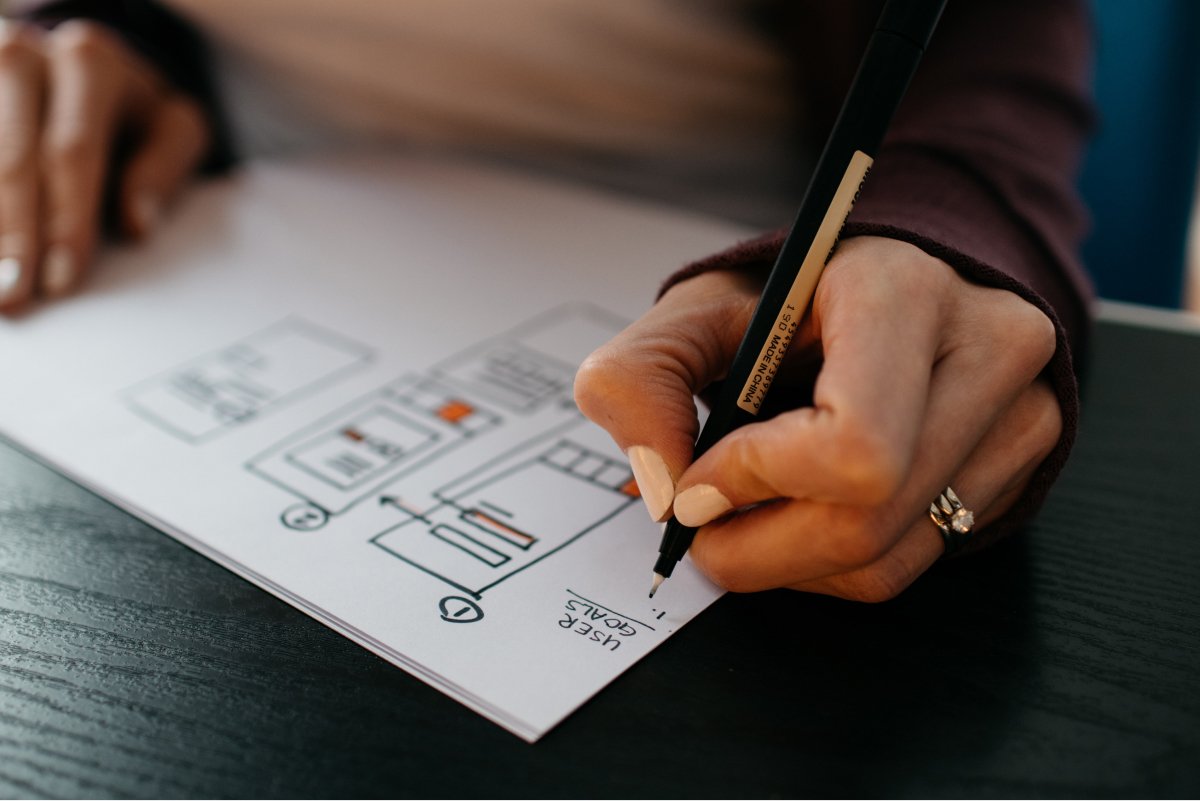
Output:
(886, 426)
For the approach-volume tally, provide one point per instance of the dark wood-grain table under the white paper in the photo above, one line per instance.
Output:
(1063, 664)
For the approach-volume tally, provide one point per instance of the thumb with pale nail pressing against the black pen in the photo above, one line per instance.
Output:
(640, 387)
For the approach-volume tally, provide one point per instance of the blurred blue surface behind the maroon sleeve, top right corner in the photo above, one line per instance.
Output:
(1141, 174)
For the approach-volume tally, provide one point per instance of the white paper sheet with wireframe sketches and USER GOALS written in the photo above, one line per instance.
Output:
(350, 382)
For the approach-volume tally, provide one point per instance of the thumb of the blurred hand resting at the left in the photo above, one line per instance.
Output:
(176, 138)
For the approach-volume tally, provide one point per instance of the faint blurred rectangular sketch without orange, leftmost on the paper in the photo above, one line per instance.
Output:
(237, 384)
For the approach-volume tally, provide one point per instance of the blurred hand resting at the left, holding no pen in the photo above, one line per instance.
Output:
(68, 98)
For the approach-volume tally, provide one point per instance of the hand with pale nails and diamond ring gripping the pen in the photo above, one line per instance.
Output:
(922, 381)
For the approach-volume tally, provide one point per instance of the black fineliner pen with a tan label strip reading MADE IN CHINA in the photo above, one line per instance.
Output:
(893, 52)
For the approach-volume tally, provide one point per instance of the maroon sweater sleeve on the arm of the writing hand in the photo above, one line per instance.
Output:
(979, 171)
